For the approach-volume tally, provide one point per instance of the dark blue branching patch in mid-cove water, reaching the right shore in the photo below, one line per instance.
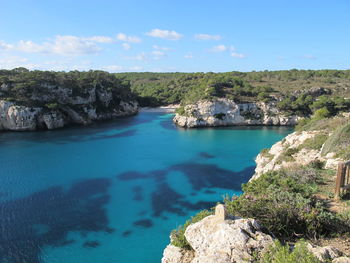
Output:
(200, 176)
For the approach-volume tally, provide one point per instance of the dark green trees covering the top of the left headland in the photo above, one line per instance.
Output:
(49, 89)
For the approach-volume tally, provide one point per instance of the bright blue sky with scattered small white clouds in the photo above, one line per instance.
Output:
(175, 36)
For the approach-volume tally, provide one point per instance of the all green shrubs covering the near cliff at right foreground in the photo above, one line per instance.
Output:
(297, 202)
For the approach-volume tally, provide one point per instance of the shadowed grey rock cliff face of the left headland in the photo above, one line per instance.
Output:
(94, 104)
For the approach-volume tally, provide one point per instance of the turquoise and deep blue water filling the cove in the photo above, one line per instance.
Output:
(113, 191)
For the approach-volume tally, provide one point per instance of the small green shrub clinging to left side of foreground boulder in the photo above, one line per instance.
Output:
(178, 238)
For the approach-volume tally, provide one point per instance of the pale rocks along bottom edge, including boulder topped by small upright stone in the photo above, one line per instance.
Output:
(216, 239)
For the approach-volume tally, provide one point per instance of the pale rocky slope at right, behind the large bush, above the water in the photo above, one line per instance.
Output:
(290, 152)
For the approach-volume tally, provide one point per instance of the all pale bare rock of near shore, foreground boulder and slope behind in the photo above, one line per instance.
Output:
(226, 239)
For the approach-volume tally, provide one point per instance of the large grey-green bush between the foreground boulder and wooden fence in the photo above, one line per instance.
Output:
(283, 202)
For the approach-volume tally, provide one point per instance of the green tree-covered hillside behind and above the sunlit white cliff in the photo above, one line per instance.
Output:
(293, 90)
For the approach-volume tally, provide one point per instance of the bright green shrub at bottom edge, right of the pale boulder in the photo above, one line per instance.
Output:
(283, 254)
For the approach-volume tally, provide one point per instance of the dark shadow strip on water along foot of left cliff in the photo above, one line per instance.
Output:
(76, 133)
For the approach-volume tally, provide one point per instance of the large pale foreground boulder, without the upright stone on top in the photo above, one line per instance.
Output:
(216, 241)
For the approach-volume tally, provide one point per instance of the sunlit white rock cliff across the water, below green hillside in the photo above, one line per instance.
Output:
(225, 112)
